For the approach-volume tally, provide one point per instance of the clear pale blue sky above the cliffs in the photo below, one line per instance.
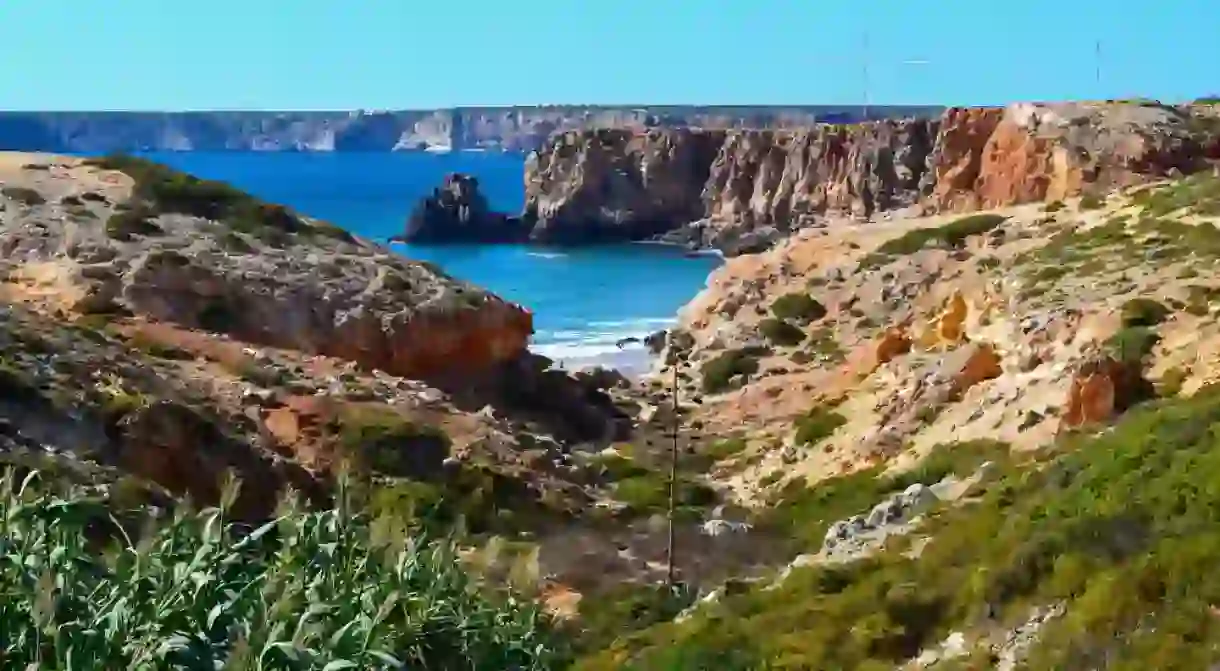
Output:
(411, 54)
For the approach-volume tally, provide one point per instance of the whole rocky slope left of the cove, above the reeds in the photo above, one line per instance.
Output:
(171, 330)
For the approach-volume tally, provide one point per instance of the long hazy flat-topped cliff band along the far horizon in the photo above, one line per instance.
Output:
(489, 129)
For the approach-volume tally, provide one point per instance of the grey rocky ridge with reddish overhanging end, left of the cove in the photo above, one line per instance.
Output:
(275, 279)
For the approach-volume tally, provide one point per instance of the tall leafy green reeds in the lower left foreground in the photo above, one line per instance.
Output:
(330, 590)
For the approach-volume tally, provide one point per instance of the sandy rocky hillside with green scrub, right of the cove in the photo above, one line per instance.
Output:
(983, 441)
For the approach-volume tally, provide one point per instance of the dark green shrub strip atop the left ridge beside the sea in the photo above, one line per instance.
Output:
(160, 190)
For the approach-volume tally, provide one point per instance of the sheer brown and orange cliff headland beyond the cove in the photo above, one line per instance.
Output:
(741, 191)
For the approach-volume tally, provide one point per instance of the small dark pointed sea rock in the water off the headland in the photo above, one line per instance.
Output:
(458, 213)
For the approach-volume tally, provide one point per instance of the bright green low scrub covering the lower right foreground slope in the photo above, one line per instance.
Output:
(1122, 528)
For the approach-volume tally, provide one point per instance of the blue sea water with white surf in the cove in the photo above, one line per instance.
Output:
(584, 300)
